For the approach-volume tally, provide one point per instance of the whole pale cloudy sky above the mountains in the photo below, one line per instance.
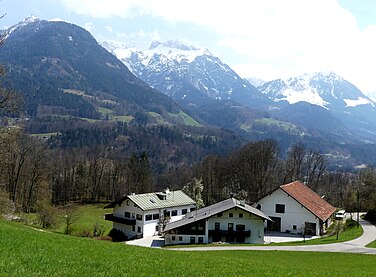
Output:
(267, 39)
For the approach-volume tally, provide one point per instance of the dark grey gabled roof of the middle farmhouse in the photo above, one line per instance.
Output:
(213, 210)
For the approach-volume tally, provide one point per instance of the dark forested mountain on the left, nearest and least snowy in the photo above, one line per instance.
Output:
(70, 74)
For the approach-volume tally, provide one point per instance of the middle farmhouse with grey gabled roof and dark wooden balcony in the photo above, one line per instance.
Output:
(228, 221)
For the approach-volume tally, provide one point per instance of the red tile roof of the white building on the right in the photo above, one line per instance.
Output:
(309, 199)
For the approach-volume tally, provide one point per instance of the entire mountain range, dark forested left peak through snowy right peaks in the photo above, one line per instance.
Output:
(71, 75)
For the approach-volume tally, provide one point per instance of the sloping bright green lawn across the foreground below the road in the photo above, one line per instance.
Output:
(28, 252)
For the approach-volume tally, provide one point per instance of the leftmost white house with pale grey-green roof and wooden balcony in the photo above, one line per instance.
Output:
(145, 215)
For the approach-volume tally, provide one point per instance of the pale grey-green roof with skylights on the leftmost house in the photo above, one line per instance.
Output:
(157, 200)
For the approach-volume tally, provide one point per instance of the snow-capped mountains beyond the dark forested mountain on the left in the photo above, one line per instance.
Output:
(193, 76)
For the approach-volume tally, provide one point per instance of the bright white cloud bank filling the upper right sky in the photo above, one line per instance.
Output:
(276, 38)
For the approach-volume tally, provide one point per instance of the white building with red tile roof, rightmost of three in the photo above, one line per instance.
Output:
(295, 208)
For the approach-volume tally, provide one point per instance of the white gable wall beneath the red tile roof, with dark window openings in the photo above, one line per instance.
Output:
(295, 213)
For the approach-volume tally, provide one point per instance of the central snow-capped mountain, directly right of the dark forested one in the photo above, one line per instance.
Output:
(181, 70)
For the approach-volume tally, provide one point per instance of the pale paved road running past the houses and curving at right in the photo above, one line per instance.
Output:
(353, 246)
